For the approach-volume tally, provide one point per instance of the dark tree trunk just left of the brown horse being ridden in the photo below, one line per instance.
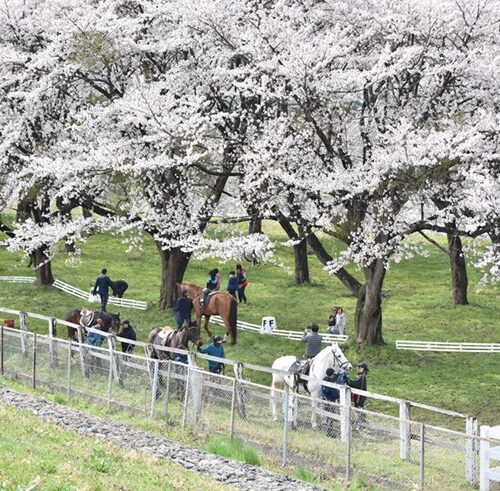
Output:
(173, 266)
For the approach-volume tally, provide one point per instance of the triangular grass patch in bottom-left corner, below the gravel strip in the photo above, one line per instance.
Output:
(34, 452)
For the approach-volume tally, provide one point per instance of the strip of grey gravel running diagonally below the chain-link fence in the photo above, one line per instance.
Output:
(235, 474)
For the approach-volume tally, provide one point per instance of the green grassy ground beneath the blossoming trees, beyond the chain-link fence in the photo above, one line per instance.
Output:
(417, 305)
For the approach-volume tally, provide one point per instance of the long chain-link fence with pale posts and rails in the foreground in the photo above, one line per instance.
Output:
(330, 440)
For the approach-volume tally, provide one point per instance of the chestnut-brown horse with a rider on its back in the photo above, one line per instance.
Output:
(221, 303)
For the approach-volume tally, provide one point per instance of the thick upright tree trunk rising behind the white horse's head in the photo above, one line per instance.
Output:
(368, 317)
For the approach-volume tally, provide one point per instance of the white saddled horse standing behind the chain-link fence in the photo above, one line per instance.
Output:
(329, 357)
